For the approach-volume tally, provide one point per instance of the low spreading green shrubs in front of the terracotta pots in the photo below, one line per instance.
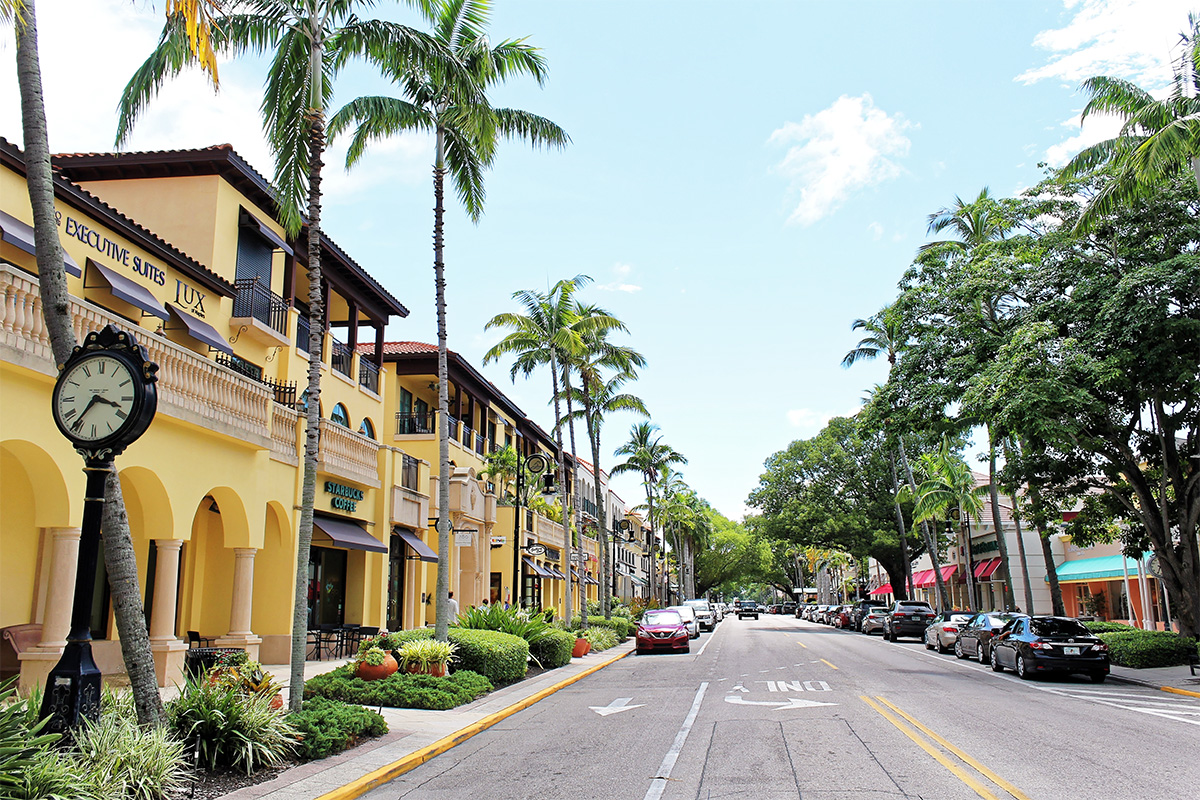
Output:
(399, 690)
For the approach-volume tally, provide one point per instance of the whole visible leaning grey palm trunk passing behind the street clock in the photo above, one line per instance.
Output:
(123, 573)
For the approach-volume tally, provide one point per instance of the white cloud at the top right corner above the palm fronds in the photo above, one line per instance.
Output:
(1127, 39)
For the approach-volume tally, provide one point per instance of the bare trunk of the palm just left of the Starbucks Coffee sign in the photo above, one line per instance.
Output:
(316, 121)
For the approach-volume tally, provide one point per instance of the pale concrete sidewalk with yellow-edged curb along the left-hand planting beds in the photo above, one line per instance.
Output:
(413, 736)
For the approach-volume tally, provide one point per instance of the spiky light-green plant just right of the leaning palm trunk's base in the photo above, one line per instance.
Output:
(231, 729)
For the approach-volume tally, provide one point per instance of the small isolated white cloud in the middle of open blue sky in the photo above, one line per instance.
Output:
(838, 152)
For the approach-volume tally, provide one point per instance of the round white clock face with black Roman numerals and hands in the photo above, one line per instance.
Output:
(95, 399)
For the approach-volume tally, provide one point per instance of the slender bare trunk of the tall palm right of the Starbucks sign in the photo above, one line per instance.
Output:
(442, 622)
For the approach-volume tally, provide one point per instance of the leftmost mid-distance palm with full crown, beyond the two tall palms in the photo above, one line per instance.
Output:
(543, 336)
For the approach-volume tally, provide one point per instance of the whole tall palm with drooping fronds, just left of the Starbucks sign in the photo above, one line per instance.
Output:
(310, 41)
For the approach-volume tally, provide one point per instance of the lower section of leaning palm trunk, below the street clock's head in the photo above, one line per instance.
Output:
(131, 622)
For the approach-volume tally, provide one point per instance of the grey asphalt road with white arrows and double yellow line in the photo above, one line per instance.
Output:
(783, 708)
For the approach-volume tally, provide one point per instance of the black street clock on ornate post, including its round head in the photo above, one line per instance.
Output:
(104, 400)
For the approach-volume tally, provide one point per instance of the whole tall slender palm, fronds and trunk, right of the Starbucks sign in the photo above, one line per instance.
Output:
(451, 101)
